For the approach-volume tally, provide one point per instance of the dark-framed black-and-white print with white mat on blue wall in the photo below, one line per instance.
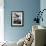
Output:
(17, 18)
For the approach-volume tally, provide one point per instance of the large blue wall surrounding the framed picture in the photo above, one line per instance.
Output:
(30, 7)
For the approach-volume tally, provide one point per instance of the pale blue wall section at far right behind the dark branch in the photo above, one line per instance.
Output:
(43, 6)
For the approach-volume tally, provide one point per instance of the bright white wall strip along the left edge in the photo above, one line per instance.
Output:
(1, 21)
